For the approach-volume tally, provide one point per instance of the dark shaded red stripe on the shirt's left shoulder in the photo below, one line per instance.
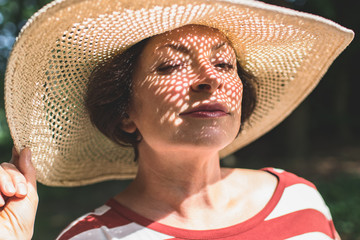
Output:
(109, 219)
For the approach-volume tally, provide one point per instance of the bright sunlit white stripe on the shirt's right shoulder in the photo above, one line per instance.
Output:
(299, 197)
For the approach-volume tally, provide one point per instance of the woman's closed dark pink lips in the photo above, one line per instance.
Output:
(210, 110)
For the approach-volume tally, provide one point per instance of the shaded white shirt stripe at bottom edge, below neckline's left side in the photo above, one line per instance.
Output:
(131, 231)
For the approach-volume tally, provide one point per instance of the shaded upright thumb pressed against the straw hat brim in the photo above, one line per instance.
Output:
(24, 164)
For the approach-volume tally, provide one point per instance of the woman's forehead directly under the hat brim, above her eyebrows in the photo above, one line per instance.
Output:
(192, 35)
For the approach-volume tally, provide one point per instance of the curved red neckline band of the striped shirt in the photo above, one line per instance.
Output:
(206, 234)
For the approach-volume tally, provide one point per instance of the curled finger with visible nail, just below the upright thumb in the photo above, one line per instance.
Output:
(17, 178)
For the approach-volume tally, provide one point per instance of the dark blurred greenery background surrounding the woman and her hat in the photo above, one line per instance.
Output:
(320, 140)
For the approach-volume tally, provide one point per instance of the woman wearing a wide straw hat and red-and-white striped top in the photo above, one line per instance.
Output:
(184, 102)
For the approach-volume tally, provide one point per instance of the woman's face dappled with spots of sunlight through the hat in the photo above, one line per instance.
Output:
(191, 79)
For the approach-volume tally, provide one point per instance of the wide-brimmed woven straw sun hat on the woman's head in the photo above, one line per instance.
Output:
(47, 73)
